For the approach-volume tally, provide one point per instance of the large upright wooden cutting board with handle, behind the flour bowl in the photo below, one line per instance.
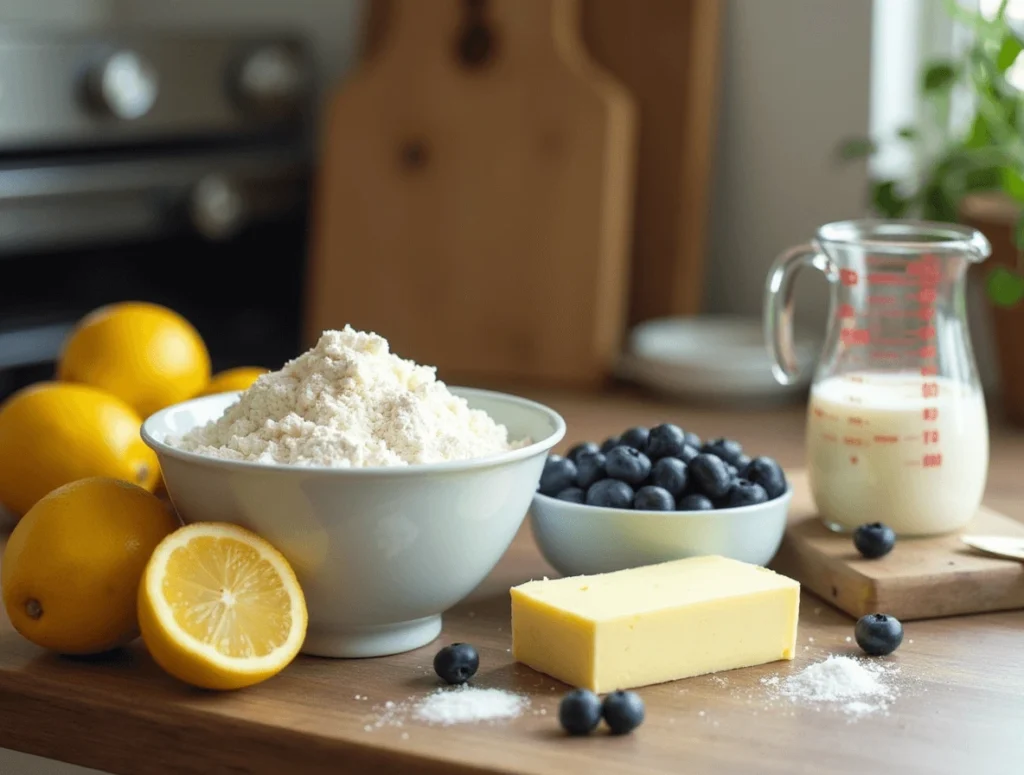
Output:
(475, 201)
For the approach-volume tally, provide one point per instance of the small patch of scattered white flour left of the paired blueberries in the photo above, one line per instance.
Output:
(467, 705)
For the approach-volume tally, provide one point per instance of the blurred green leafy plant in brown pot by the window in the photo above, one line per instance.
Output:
(974, 177)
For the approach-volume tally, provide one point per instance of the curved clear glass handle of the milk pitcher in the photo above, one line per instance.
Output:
(780, 305)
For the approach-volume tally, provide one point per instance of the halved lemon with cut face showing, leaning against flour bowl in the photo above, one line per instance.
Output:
(220, 608)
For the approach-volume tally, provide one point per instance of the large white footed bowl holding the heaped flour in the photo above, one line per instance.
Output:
(380, 552)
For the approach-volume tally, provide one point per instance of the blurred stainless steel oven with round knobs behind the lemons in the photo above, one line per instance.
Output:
(159, 166)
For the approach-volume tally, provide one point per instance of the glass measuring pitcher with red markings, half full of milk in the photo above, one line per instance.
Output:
(897, 427)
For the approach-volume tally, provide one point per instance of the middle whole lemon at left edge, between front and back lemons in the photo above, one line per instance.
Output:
(53, 434)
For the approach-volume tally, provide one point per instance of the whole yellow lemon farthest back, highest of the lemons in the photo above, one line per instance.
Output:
(146, 355)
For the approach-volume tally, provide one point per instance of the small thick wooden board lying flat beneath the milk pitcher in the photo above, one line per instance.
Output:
(920, 579)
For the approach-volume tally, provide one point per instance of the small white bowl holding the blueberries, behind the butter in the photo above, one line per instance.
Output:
(579, 540)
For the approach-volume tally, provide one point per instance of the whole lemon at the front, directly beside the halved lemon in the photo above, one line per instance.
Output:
(72, 567)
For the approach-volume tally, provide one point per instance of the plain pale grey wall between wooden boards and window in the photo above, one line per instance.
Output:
(795, 81)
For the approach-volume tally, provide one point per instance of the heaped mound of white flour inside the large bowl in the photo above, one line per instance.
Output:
(349, 403)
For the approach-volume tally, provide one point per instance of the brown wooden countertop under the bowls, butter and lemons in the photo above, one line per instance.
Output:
(961, 708)
